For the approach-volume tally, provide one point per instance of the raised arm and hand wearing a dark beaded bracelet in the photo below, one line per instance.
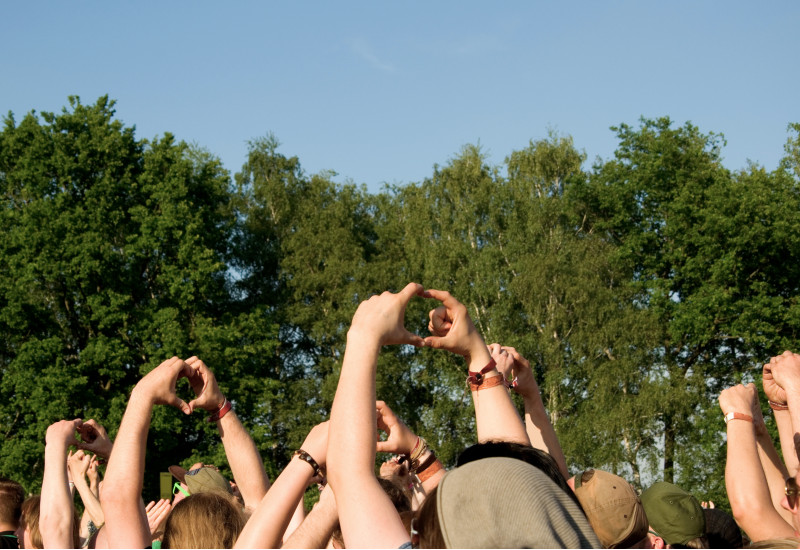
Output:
(272, 515)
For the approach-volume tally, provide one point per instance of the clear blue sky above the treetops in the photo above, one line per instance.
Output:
(380, 92)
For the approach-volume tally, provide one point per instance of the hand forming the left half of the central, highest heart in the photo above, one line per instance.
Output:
(381, 318)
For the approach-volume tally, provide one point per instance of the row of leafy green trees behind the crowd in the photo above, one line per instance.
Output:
(638, 288)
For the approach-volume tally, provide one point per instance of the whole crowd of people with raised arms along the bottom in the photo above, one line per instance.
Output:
(512, 489)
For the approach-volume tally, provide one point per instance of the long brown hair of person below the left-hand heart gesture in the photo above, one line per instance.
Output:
(203, 520)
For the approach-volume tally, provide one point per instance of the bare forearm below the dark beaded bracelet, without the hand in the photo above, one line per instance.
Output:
(271, 517)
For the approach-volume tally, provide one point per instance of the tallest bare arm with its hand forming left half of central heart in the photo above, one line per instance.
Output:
(366, 514)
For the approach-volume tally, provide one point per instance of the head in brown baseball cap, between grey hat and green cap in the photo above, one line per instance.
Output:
(612, 507)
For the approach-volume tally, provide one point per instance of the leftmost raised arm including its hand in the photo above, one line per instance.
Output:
(55, 521)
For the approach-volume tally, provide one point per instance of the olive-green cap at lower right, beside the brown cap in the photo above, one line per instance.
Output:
(674, 514)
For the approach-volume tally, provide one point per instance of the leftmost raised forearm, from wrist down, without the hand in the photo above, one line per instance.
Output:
(55, 522)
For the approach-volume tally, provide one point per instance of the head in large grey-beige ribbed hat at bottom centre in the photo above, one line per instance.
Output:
(515, 504)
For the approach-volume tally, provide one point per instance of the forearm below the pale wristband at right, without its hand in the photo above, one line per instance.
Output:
(746, 486)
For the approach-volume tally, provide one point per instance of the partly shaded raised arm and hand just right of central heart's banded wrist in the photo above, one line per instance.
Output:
(512, 364)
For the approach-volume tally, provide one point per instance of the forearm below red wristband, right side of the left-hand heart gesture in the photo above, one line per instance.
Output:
(244, 459)
